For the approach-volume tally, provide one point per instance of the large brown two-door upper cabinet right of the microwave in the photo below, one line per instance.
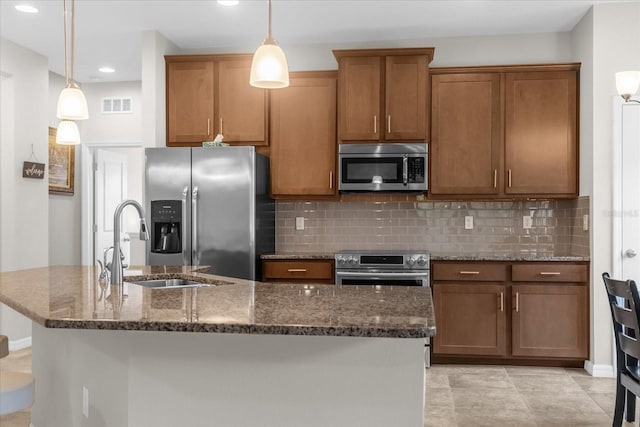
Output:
(504, 131)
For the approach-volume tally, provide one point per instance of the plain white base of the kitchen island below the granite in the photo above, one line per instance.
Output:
(137, 378)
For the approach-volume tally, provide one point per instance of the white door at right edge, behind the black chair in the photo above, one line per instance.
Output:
(627, 251)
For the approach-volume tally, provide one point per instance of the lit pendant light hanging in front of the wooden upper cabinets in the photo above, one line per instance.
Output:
(269, 69)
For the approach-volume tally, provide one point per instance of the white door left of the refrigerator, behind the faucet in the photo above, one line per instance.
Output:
(110, 188)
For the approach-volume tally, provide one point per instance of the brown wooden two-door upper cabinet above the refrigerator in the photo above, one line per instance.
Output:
(211, 94)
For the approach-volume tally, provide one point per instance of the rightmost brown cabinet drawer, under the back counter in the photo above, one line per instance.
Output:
(549, 272)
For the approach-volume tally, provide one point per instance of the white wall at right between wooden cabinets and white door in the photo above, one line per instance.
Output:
(616, 47)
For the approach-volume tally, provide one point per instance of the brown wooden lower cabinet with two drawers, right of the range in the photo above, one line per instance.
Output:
(537, 312)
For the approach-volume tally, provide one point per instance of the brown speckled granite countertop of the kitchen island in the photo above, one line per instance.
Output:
(72, 297)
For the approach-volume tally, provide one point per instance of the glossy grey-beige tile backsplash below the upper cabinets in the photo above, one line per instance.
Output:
(557, 226)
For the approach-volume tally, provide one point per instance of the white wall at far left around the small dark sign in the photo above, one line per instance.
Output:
(24, 207)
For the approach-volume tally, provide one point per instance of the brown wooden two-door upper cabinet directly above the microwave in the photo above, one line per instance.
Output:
(382, 94)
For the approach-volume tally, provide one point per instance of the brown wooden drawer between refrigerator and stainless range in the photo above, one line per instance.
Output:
(275, 270)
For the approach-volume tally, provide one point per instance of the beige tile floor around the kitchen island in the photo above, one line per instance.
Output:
(476, 396)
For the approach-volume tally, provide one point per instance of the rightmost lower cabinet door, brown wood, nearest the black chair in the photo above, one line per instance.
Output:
(550, 321)
